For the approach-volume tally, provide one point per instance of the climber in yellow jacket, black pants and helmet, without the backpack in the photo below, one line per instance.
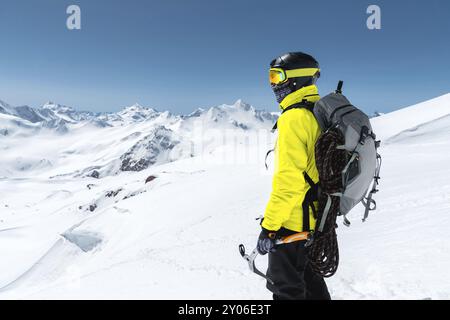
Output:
(293, 201)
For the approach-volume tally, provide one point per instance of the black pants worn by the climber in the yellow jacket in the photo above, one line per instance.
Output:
(292, 275)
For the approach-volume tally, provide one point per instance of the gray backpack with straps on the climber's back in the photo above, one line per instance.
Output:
(334, 111)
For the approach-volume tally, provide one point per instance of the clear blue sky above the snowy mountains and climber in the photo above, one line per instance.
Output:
(183, 54)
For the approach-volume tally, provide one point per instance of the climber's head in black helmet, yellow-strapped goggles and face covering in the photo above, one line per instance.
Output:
(291, 72)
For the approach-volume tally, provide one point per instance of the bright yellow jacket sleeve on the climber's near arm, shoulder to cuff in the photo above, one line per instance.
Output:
(289, 186)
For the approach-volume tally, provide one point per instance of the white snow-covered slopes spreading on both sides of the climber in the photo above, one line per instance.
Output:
(176, 236)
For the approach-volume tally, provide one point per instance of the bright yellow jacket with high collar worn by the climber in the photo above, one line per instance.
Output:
(298, 131)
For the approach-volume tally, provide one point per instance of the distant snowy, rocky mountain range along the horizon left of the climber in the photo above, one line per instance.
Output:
(131, 139)
